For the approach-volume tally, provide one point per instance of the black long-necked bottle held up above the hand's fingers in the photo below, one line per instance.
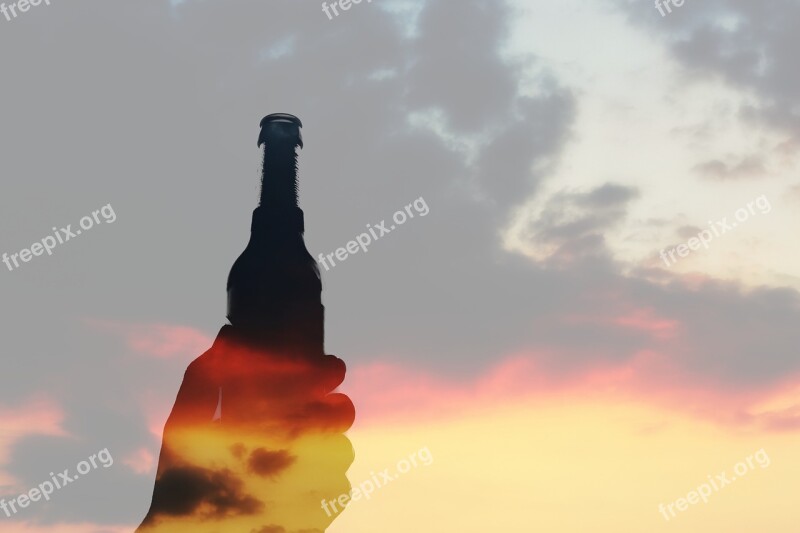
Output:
(274, 288)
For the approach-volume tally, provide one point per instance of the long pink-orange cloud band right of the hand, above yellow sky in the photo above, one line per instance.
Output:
(386, 391)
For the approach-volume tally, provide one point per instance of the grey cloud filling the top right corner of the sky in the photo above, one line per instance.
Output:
(751, 45)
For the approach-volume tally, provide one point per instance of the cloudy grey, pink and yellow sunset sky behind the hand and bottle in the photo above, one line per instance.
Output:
(594, 318)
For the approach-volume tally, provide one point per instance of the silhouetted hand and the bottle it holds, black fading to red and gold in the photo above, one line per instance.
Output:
(255, 441)
